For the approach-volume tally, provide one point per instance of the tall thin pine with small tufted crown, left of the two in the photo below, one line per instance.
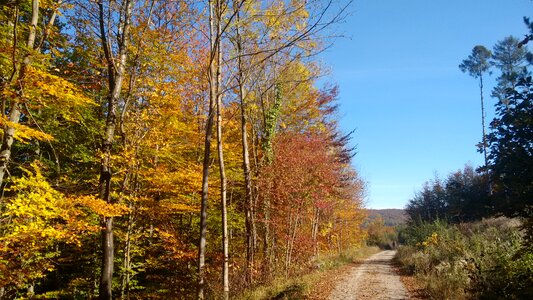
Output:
(476, 65)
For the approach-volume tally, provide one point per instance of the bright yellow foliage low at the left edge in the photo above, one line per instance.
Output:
(32, 223)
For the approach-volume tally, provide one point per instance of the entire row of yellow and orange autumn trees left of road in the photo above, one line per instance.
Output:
(168, 149)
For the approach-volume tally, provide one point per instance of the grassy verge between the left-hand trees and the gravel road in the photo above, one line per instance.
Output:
(302, 287)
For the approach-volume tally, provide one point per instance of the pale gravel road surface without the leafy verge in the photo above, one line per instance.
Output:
(373, 279)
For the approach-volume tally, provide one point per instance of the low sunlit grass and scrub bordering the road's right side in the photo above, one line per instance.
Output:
(481, 260)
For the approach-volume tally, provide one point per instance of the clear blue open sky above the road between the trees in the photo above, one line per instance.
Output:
(415, 113)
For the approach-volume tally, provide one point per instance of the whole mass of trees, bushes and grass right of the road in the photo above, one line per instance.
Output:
(469, 235)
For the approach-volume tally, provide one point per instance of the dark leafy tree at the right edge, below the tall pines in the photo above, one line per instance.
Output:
(511, 149)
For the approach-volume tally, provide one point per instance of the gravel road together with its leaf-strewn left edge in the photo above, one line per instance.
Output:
(372, 278)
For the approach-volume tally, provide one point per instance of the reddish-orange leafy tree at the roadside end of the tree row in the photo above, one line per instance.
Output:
(314, 203)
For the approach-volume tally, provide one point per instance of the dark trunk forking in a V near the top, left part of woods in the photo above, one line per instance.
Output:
(116, 75)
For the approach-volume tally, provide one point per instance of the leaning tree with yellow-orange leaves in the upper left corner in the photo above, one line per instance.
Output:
(21, 75)
